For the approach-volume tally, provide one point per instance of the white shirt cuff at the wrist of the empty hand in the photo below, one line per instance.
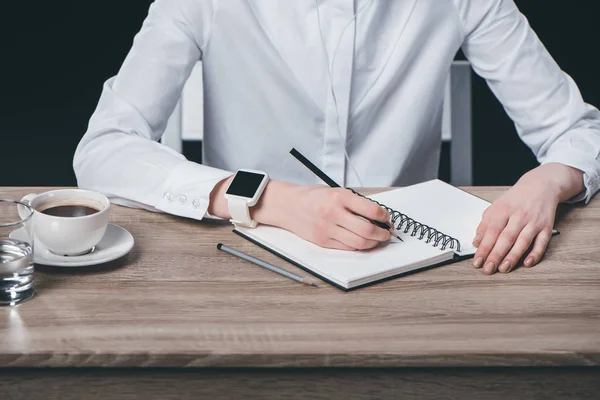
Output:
(582, 161)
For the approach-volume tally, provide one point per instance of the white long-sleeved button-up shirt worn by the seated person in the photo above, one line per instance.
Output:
(269, 70)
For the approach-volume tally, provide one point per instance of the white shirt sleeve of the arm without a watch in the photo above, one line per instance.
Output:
(542, 100)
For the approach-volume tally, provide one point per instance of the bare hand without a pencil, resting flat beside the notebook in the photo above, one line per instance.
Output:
(521, 220)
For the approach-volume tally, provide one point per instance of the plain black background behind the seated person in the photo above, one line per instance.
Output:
(56, 55)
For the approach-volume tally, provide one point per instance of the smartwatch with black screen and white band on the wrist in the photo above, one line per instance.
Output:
(243, 192)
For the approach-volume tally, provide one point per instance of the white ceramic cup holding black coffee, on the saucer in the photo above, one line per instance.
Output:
(70, 236)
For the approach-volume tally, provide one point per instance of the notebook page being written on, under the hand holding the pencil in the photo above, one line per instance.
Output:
(346, 268)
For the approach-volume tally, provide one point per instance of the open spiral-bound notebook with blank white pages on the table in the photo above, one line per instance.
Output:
(431, 210)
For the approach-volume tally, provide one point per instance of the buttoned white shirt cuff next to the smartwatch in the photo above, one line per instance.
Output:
(186, 192)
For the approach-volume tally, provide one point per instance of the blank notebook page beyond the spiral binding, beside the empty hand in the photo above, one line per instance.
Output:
(441, 206)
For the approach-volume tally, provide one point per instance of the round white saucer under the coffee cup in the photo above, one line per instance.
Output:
(117, 242)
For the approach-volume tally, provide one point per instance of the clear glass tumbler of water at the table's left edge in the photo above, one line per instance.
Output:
(16, 252)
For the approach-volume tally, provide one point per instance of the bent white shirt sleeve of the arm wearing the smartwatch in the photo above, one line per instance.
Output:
(119, 155)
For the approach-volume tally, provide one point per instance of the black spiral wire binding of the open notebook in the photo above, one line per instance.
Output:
(423, 231)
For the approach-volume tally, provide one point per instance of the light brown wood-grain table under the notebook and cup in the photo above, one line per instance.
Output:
(126, 329)
